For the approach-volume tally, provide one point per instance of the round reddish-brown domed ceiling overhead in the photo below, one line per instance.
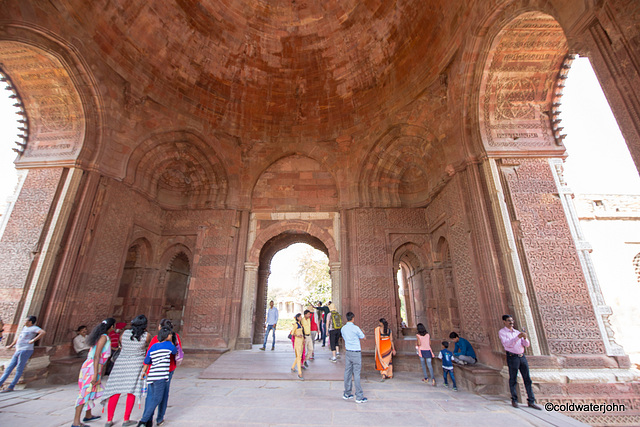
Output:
(275, 67)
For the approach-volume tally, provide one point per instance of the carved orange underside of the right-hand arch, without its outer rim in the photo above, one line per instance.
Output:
(519, 82)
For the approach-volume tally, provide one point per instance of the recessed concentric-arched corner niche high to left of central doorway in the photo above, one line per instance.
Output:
(178, 170)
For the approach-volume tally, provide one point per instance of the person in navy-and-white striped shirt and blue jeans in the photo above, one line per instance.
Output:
(159, 360)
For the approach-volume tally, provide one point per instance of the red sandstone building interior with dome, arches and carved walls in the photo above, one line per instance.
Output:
(173, 147)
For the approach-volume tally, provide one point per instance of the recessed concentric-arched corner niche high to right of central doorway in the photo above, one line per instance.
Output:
(396, 170)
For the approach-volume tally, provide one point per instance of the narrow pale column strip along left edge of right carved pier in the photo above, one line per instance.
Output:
(511, 258)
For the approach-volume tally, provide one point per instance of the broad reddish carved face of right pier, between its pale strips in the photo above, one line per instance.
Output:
(549, 257)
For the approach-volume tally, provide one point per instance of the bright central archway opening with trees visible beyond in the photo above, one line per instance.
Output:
(294, 273)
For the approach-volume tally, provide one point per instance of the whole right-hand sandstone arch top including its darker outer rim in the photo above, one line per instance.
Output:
(517, 82)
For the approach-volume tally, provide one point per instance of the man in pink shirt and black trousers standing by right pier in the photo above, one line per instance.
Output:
(514, 343)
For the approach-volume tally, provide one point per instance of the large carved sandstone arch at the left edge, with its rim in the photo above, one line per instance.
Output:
(57, 89)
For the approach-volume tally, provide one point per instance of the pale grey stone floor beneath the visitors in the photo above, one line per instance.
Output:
(197, 399)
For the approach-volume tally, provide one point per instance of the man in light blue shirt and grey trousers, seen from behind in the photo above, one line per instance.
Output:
(353, 362)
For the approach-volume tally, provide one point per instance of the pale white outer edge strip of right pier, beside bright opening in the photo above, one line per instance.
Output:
(602, 310)
